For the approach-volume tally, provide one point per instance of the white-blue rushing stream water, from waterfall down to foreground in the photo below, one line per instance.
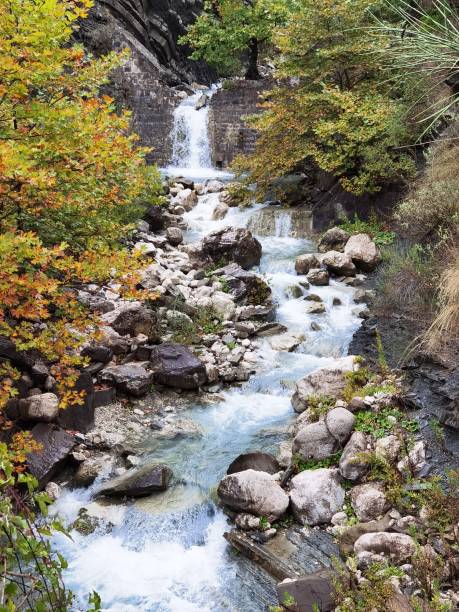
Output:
(166, 553)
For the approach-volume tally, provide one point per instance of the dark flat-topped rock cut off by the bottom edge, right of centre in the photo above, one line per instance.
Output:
(310, 593)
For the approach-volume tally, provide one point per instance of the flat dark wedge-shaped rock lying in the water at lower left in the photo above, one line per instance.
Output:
(138, 482)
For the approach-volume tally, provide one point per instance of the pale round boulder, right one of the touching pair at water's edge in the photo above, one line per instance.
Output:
(316, 495)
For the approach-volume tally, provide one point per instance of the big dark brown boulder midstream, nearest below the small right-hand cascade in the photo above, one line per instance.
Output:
(232, 244)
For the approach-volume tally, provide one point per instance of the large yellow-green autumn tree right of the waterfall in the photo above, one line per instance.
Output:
(336, 106)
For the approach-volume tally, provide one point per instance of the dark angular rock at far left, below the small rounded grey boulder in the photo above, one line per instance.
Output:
(56, 446)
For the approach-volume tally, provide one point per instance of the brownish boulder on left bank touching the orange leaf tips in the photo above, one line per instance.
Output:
(133, 320)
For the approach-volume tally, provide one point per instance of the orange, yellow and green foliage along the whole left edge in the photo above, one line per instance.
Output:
(72, 179)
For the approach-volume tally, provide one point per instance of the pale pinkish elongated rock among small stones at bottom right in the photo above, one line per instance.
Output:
(398, 547)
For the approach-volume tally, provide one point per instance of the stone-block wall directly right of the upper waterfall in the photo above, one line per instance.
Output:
(229, 135)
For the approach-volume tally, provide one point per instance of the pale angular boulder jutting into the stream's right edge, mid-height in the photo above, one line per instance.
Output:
(324, 381)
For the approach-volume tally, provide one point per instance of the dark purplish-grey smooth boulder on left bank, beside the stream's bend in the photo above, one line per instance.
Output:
(175, 366)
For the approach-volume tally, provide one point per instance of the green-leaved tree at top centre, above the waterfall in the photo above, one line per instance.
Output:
(231, 33)
